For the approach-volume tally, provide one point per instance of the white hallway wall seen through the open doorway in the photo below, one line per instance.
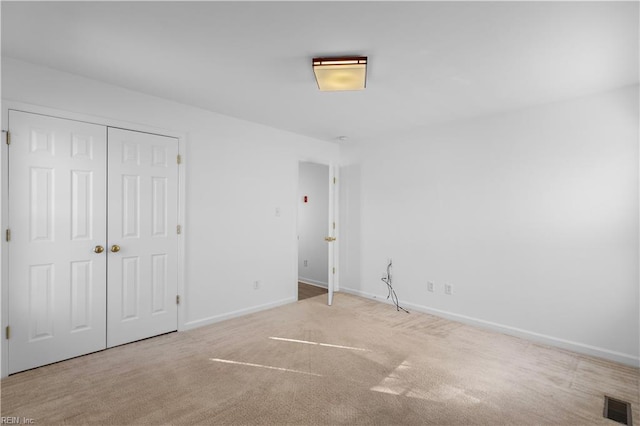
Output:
(313, 219)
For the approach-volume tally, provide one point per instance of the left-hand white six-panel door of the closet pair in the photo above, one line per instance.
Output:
(57, 214)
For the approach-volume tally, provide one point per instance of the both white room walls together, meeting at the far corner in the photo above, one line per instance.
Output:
(531, 216)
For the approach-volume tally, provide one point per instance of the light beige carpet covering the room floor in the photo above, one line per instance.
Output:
(357, 362)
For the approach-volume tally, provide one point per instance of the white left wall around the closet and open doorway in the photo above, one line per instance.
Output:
(237, 174)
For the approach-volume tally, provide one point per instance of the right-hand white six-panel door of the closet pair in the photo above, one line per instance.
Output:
(143, 258)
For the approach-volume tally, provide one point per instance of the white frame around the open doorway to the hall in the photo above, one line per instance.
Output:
(333, 282)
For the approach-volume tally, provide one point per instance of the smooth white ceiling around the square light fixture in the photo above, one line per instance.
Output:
(429, 61)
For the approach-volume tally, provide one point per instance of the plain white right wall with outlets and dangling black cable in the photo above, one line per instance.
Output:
(531, 216)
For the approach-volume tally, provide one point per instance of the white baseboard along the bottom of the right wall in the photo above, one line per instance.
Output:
(578, 347)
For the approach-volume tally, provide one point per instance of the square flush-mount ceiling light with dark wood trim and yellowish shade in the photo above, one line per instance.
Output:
(343, 73)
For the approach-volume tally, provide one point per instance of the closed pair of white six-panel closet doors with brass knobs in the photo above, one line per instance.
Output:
(93, 249)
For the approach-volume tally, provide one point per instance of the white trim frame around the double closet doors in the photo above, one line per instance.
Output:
(4, 174)
